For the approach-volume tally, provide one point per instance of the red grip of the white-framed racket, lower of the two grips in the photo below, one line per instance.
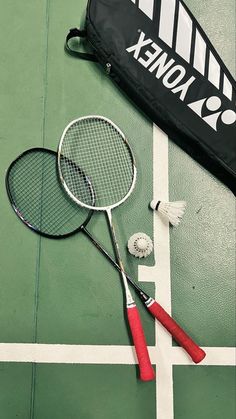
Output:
(146, 370)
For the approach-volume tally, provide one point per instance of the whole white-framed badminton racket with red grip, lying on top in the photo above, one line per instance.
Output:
(98, 148)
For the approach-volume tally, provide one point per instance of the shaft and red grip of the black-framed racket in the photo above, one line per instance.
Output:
(194, 351)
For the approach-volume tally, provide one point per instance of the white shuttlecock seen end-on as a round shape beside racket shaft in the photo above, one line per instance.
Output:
(140, 245)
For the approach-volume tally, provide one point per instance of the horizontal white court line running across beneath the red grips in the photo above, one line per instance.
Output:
(107, 355)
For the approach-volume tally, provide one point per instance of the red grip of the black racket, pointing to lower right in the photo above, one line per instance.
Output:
(196, 353)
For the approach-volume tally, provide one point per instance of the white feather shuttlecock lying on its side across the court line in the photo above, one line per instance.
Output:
(173, 211)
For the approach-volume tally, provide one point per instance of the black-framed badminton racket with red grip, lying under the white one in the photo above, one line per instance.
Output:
(40, 202)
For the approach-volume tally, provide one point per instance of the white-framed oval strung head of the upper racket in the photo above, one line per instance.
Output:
(96, 145)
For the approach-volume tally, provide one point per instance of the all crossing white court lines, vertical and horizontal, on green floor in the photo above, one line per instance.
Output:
(163, 354)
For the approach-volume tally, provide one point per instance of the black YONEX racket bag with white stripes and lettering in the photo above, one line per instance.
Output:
(158, 54)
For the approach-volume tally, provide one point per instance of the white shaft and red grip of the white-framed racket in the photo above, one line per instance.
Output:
(146, 370)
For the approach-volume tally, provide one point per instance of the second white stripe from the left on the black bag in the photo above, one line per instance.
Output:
(167, 21)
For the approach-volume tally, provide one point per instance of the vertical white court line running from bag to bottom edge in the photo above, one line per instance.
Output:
(164, 387)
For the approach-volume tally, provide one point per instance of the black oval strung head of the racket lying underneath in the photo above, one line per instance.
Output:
(38, 199)
